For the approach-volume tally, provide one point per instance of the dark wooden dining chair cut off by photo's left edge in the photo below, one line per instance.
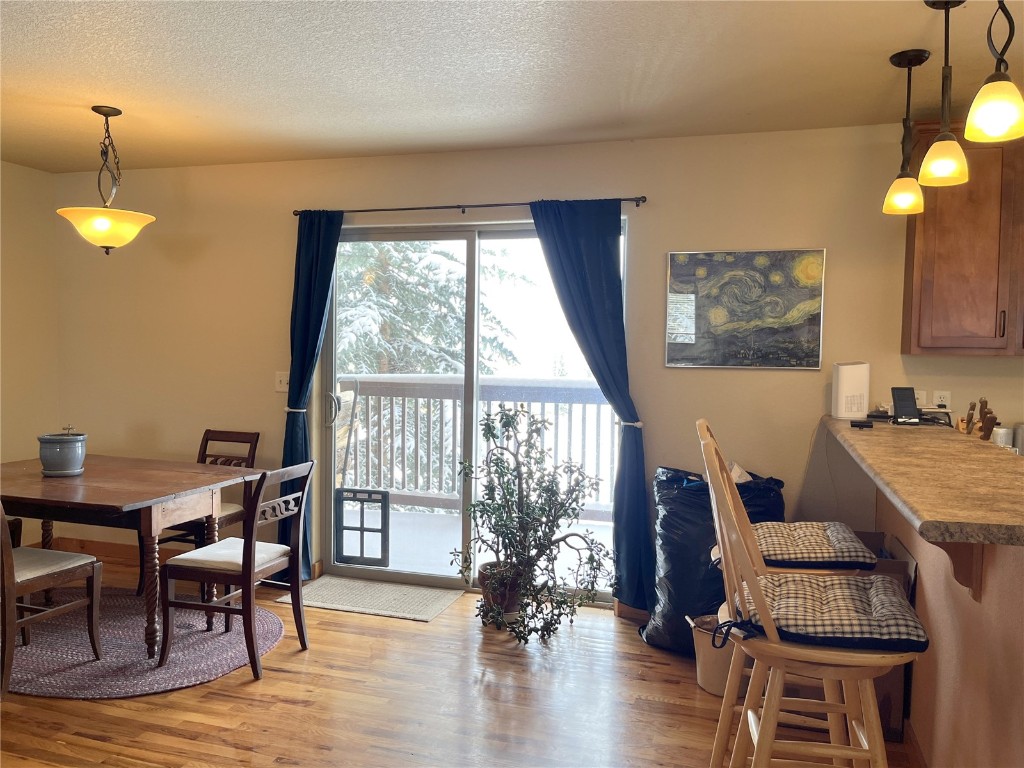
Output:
(29, 570)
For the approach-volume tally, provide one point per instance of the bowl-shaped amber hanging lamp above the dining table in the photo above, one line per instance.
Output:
(108, 228)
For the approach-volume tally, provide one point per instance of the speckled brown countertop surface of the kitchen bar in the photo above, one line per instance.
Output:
(951, 487)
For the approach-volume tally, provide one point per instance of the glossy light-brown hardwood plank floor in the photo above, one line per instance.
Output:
(375, 692)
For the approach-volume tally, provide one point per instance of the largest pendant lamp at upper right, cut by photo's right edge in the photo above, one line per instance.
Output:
(998, 112)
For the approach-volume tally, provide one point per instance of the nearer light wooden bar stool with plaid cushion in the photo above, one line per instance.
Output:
(843, 630)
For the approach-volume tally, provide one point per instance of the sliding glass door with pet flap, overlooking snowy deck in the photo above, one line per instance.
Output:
(430, 330)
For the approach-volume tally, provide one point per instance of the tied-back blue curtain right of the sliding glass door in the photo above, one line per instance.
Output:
(581, 245)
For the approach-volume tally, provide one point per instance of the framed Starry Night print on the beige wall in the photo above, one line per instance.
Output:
(745, 309)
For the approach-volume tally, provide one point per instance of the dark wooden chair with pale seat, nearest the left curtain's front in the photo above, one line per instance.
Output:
(240, 564)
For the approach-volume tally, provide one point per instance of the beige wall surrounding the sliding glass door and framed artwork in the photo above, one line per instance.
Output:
(185, 328)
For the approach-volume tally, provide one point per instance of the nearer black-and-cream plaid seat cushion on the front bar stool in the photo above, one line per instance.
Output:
(869, 613)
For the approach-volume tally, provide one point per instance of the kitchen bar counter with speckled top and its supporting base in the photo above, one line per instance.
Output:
(953, 500)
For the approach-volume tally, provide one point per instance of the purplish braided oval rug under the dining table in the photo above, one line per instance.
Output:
(59, 661)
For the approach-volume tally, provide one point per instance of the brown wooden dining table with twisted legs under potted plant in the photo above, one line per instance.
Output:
(143, 495)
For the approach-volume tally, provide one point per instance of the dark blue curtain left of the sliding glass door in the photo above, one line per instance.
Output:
(315, 258)
